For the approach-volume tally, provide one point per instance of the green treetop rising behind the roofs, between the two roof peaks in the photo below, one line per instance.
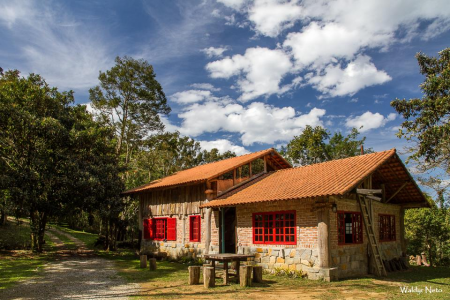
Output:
(317, 145)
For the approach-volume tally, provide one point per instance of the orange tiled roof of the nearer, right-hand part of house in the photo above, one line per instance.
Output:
(336, 177)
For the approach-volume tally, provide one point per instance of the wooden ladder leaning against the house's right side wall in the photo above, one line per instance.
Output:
(374, 246)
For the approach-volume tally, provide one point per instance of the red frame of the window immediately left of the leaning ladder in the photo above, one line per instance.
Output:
(355, 227)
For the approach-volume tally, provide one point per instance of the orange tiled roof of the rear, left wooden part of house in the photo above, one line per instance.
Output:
(209, 171)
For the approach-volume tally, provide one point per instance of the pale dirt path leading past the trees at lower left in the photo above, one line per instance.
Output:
(74, 275)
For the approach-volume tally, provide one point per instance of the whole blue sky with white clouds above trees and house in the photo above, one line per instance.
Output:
(240, 75)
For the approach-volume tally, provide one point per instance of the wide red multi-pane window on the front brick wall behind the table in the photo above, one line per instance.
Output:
(277, 228)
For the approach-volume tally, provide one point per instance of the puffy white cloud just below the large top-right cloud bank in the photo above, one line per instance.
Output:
(334, 81)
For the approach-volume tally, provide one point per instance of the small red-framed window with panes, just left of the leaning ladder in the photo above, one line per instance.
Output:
(350, 228)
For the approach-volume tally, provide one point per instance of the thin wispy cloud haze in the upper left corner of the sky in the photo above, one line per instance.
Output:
(66, 53)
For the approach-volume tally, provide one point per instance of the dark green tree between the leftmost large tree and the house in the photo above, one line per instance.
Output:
(96, 167)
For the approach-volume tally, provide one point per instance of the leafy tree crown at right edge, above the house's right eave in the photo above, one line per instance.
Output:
(427, 118)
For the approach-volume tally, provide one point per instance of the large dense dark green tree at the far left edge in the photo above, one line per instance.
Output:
(34, 122)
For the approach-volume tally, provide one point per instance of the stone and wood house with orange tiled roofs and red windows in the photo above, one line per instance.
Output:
(329, 220)
